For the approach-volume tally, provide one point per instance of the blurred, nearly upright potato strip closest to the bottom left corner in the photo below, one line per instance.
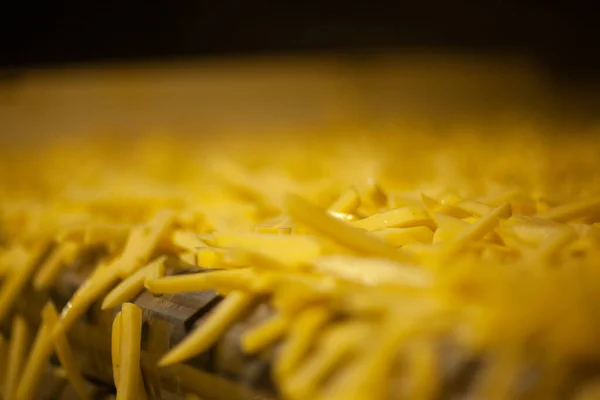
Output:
(17, 352)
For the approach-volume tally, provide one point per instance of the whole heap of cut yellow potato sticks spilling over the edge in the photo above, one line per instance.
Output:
(371, 249)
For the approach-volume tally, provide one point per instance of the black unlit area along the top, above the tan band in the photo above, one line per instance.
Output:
(563, 36)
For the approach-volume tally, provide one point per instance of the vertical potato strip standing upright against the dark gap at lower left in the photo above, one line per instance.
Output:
(130, 381)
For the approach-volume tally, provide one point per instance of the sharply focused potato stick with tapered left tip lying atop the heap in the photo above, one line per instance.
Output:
(405, 217)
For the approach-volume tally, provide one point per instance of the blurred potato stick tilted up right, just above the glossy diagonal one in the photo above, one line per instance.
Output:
(143, 240)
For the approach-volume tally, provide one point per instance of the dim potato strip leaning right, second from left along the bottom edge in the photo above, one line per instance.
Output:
(38, 357)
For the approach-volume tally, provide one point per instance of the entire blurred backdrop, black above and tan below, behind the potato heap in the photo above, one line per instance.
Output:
(75, 66)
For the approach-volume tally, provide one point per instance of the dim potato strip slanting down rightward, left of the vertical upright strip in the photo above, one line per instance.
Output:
(64, 353)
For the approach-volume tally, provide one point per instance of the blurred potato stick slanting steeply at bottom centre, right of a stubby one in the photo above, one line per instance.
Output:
(302, 335)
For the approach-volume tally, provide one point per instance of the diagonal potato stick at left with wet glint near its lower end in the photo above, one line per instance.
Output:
(86, 295)
